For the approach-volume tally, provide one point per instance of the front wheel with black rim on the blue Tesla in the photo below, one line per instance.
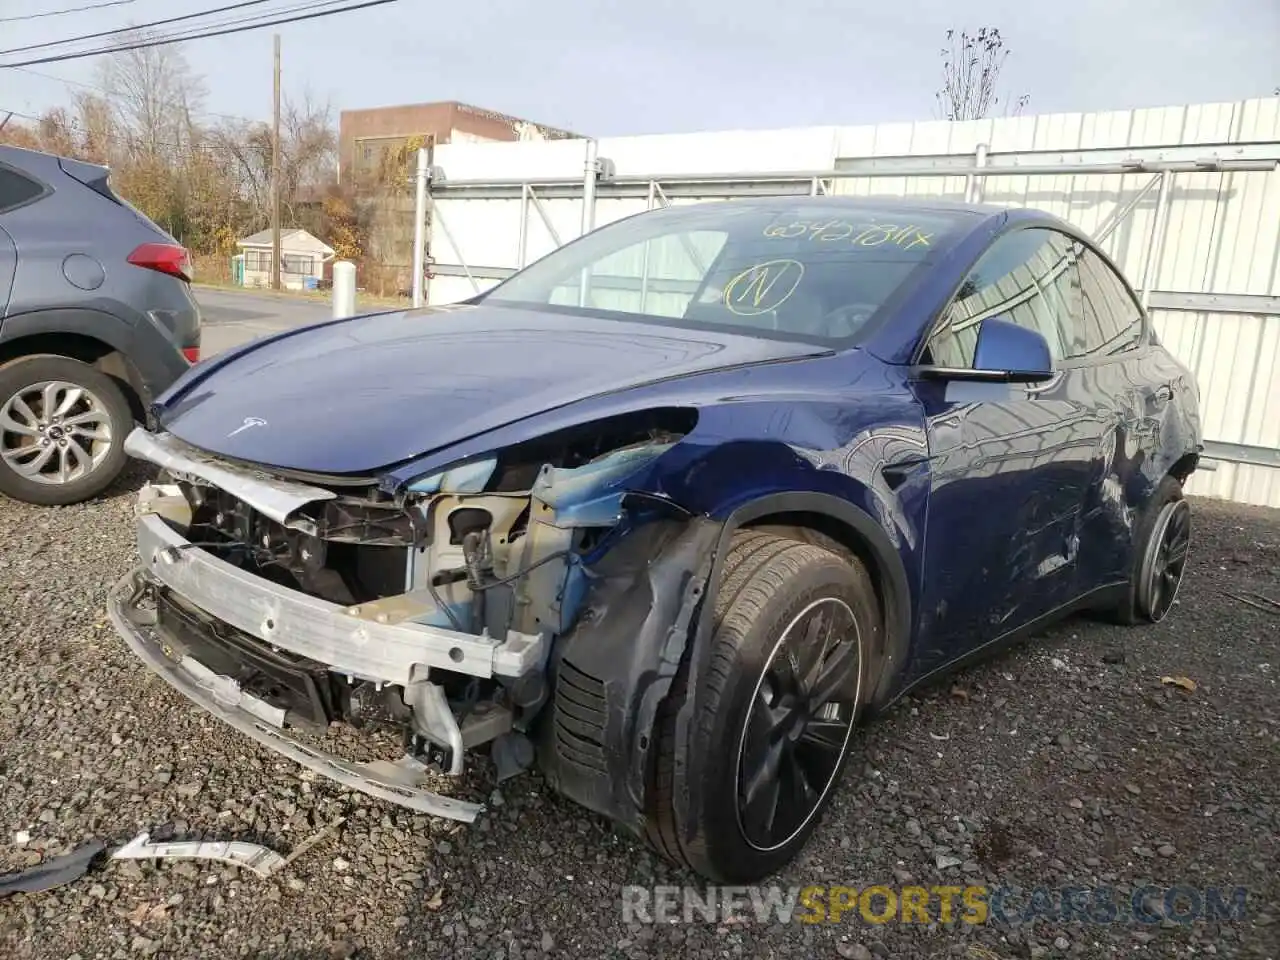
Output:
(798, 629)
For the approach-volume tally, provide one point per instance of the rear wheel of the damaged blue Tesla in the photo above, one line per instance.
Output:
(1160, 550)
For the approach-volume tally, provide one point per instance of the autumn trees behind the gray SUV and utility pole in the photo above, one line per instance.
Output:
(207, 185)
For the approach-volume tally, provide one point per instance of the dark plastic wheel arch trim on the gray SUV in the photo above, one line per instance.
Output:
(45, 335)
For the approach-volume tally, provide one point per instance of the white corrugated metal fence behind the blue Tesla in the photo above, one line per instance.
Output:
(1223, 228)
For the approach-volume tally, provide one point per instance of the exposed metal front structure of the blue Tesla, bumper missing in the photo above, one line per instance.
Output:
(287, 607)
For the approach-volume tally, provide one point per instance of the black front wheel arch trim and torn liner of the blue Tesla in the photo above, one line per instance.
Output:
(650, 619)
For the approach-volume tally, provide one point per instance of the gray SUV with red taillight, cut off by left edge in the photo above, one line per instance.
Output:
(97, 319)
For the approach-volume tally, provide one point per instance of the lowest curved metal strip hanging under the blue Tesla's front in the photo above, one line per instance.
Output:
(399, 783)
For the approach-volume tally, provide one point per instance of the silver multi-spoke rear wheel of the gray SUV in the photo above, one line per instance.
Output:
(62, 431)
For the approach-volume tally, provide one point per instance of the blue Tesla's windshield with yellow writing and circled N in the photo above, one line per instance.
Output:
(808, 272)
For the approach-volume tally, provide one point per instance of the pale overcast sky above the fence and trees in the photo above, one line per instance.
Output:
(675, 66)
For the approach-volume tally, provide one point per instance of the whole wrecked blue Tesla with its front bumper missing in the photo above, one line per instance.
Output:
(669, 510)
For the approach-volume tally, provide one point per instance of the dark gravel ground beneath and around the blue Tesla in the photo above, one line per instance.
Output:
(1064, 764)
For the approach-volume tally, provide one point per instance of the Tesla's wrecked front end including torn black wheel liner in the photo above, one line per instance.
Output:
(444, 610)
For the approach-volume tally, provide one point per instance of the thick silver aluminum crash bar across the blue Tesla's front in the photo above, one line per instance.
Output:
(323, 632)
